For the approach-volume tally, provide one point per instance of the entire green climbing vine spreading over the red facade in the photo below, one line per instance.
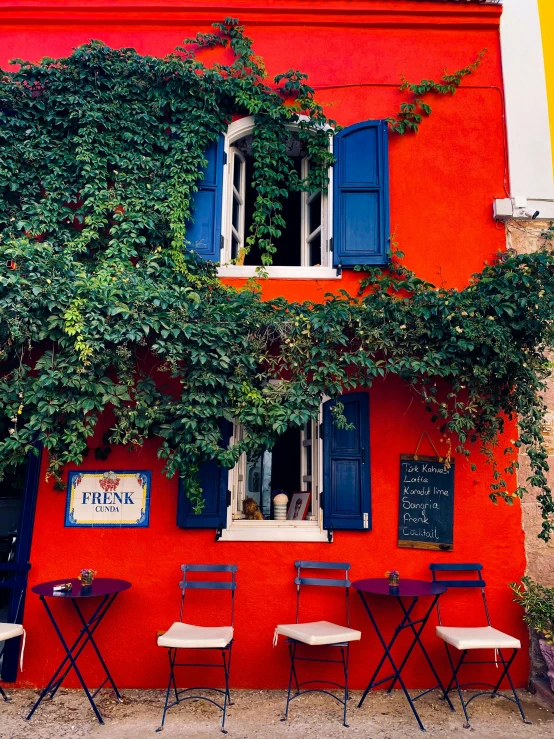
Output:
(106, 313)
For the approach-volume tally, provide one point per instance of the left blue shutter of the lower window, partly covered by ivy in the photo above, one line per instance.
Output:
(213, 481)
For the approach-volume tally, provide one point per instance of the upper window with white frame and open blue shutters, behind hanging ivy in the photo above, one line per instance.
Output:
(346, 227)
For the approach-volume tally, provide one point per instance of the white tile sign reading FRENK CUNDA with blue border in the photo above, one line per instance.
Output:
(108, 499)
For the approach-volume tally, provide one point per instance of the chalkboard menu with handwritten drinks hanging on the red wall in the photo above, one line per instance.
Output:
(426, 512)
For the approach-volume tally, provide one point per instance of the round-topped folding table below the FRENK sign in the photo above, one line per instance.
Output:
(107, 589)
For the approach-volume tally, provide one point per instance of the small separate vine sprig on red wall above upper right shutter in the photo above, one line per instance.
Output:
(409, 117)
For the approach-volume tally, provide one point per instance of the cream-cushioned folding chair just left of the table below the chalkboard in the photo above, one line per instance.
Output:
(318, 633)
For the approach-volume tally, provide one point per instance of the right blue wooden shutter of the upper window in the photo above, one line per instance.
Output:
(361, 195)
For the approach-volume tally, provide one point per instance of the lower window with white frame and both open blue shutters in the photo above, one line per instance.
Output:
(322, 470)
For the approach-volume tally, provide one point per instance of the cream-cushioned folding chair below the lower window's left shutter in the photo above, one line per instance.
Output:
(186, 636)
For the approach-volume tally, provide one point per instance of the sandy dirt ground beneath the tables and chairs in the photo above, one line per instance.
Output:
(256, 715)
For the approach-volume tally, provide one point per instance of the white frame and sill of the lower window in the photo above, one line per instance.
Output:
(270, 530)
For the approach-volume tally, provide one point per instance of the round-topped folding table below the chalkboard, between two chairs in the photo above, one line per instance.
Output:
(408, 589)
